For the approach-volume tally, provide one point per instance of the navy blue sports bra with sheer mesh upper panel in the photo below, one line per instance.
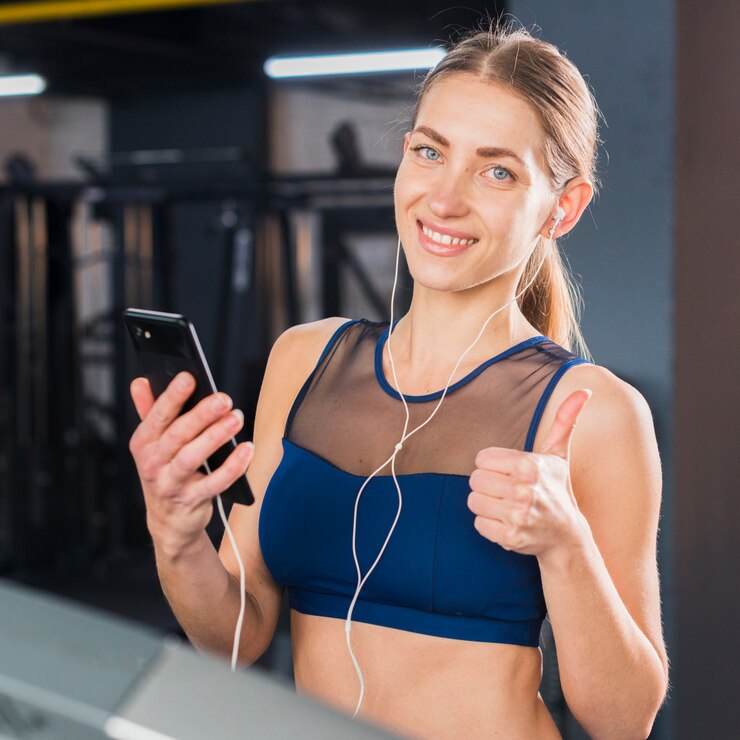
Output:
(438, 576)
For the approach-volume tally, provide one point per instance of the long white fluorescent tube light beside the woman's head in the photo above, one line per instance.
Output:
(360, 63)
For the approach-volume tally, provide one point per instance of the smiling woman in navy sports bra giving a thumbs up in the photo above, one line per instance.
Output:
(507, 509)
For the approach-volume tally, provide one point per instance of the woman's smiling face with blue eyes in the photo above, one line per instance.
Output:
(471, 194)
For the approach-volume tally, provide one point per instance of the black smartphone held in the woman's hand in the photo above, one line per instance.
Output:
(166, 344)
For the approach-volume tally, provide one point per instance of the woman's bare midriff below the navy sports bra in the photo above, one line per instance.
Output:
(422, 686)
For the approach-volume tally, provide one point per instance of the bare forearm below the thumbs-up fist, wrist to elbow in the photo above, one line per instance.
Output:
(612, 676)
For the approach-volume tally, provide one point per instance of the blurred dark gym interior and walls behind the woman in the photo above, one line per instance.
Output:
(162, 169)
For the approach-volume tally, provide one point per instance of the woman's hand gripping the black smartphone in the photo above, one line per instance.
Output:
(169, 450)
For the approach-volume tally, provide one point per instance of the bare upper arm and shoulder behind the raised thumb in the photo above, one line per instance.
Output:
(617, 481)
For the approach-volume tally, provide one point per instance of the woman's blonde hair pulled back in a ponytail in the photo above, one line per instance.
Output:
(568, 113)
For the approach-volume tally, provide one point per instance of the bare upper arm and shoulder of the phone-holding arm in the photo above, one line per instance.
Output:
(292, 359)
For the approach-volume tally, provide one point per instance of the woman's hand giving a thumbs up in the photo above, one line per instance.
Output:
(523, 501)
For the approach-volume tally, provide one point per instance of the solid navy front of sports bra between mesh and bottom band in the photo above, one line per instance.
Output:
(435, 561)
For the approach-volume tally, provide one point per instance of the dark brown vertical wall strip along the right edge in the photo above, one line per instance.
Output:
(707, 398)
